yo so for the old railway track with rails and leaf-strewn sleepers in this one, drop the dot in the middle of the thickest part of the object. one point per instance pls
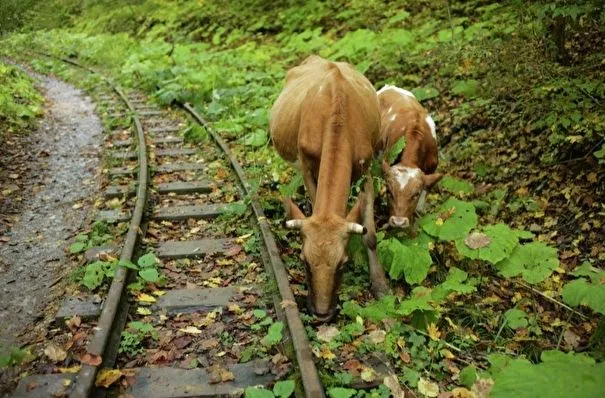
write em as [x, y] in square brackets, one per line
[212, 299]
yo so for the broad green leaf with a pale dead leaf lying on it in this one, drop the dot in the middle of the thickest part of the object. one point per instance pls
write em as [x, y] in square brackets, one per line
[502, 241]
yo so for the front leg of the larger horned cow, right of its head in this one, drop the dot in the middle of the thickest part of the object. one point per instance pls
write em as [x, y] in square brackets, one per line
[380, 283]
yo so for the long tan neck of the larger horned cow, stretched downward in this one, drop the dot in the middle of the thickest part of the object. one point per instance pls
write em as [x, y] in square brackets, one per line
[334, 181]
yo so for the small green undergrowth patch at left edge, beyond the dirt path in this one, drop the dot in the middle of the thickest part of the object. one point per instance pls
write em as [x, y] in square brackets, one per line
[20, 102]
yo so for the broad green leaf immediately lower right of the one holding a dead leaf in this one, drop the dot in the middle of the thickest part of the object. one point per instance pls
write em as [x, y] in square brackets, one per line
[533, 261]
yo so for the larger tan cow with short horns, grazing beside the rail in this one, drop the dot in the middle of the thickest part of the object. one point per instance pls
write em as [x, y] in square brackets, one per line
[326, 120]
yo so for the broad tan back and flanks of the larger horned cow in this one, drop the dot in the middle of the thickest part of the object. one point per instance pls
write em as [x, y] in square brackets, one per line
[306, 105]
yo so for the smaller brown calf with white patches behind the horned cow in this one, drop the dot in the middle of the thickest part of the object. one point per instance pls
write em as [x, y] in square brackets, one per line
[414, 170]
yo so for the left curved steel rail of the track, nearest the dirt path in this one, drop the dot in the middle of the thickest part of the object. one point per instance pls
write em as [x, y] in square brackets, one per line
[116, 297]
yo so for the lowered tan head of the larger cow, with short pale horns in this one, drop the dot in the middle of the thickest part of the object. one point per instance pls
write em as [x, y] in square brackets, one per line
[324, 253]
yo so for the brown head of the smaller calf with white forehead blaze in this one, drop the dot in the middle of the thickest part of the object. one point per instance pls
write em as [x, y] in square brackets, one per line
[405, 186]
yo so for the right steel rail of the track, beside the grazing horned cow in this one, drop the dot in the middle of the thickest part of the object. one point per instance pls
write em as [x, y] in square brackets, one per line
[310, 378]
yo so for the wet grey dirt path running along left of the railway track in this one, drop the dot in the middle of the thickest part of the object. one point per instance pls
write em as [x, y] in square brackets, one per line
[58, 163]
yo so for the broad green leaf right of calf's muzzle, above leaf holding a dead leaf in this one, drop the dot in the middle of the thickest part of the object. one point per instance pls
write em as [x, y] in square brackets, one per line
[453, 220]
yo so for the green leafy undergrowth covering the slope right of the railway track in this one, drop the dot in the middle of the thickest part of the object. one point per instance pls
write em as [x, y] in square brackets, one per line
[514, 234]
